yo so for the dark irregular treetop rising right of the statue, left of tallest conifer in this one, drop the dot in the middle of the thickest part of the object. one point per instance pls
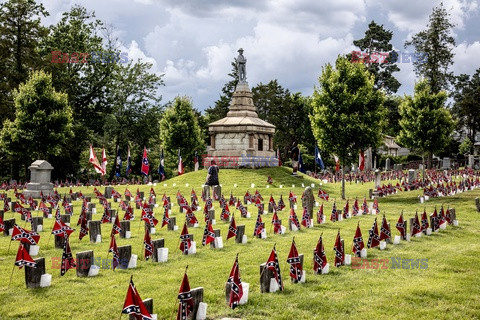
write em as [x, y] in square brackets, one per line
[377, 40]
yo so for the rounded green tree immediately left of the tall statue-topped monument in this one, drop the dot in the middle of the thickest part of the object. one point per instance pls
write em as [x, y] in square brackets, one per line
[179, 129]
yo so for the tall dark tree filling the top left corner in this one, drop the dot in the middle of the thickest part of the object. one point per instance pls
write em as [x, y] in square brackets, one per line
[21, 32]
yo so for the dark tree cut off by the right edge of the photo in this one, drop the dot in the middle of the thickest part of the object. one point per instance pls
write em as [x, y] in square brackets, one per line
[466, 108]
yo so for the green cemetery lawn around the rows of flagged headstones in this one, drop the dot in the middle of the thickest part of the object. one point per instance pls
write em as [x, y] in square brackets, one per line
[449, 288]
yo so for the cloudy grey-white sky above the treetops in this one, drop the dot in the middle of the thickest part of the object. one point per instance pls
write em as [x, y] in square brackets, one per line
[193, 42]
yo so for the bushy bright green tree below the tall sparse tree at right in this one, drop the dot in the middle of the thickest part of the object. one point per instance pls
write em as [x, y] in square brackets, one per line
[426, 123]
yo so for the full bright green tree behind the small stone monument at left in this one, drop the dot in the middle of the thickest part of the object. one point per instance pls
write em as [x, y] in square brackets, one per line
[43, 122]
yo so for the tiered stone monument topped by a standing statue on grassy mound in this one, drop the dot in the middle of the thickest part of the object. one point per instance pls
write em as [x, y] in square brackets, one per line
[241, 139]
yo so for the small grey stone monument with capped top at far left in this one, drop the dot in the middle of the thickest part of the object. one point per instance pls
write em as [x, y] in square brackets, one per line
[40, 173]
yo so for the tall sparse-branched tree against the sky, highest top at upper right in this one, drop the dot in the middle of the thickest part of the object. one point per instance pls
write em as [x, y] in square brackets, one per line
[435, 44]
